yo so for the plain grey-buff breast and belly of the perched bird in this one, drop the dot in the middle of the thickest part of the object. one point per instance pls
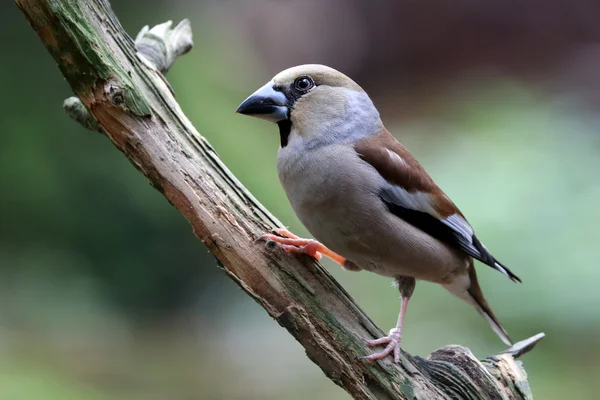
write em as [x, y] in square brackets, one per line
[340, 207]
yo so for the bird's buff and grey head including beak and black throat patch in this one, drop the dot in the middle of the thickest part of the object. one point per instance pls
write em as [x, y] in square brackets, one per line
[315, 103]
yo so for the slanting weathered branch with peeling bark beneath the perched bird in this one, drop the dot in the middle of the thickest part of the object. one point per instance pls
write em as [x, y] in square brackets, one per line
[131, 102]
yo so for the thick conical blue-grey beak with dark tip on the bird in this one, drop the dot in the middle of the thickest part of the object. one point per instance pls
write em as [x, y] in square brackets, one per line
[266, 103]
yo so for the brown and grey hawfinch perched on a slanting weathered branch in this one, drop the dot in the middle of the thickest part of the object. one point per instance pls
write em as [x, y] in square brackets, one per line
[368, 203]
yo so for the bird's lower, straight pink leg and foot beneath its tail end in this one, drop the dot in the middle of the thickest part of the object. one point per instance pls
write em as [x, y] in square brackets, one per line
[406, 286]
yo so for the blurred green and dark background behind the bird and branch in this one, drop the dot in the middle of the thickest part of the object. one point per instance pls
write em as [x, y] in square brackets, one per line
[106, 294]
